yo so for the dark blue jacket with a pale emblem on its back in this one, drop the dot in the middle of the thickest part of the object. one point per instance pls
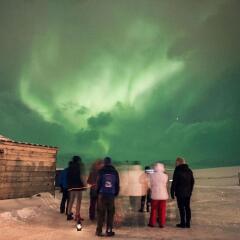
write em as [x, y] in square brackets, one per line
[108, 170]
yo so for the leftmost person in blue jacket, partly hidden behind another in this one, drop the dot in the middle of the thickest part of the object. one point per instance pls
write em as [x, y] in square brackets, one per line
[64, 189]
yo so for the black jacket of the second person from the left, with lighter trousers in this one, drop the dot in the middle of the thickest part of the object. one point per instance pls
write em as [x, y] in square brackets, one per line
[74, 176]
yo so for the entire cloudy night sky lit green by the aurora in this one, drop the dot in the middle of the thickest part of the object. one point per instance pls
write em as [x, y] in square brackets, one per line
[143, 80]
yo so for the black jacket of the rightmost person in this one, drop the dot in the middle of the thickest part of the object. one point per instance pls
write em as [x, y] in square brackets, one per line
[183, 181]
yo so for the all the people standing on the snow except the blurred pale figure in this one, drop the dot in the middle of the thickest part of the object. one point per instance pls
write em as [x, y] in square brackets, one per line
[104, 184]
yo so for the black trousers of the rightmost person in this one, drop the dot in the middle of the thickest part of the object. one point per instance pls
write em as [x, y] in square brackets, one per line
[184, 210]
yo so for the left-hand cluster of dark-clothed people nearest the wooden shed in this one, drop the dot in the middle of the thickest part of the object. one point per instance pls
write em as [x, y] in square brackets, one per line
[104, 187]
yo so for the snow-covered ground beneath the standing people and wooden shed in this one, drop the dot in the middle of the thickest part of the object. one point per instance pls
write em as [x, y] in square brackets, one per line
[216, 215]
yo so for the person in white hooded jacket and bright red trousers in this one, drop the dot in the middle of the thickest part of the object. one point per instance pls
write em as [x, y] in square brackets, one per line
[158, 184]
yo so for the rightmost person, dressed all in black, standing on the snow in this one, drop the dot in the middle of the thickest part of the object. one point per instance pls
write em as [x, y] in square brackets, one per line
[182, 187]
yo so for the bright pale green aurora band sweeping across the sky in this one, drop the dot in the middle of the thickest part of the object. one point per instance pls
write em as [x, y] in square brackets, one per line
[96, 91]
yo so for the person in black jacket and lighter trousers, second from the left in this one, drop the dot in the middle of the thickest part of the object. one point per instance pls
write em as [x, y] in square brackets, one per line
[75, 186]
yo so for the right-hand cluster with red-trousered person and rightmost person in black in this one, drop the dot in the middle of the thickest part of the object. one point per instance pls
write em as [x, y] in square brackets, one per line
[157, 194]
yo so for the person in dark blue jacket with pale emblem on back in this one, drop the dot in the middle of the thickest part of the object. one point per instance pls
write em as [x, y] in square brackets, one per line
[107, 190]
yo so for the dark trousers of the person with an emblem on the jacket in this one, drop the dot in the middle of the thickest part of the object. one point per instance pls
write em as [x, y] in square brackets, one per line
[105, 206]
